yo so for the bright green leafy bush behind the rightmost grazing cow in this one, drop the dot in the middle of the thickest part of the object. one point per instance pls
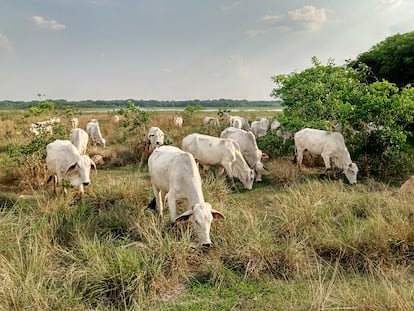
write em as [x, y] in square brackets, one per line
[371, 117]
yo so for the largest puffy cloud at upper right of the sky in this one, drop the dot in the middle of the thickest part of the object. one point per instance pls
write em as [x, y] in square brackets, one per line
[310, 17]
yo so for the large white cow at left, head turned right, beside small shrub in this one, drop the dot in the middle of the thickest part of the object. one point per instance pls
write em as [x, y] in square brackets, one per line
[64, 161]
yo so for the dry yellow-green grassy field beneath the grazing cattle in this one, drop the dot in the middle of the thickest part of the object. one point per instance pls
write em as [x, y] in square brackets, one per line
[293, 242]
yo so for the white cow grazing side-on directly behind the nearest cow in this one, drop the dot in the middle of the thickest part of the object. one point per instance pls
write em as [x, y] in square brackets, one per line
[210, 150]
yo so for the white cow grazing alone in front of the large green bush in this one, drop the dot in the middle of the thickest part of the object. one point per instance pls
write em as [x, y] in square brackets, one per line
[330, 145]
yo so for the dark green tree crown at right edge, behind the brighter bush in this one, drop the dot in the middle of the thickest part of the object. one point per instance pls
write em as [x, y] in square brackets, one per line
[391, 60]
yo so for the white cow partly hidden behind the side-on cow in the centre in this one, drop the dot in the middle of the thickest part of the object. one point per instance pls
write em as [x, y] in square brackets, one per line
[248, 146]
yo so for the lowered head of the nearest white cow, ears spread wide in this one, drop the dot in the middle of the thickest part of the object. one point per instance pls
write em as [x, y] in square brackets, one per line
[203, 215]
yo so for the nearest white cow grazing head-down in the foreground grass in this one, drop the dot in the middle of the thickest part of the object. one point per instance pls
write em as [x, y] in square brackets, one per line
[174, 174]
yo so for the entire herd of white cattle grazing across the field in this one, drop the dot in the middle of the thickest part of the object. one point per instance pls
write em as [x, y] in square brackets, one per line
[174, 171]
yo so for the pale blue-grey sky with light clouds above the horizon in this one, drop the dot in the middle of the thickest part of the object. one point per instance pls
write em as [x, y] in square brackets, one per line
[180, 49]
